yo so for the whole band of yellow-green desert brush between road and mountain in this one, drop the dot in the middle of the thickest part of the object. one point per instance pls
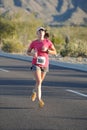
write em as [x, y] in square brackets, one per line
[69, 40]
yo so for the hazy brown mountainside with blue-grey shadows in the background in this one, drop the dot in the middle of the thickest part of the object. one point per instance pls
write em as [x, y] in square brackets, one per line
[53, 12]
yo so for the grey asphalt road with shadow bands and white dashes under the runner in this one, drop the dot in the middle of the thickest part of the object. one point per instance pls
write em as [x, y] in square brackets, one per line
[64, 93]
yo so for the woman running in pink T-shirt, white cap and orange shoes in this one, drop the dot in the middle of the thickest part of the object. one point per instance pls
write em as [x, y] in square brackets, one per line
[40, 49]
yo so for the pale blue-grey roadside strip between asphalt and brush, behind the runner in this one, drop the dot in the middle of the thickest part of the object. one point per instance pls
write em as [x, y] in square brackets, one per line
[55, 62]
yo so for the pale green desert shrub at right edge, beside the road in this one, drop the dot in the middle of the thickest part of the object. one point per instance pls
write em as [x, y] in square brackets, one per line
[76, 48]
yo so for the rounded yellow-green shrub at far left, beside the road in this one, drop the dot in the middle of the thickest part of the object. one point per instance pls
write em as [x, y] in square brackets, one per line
[10, 45]
